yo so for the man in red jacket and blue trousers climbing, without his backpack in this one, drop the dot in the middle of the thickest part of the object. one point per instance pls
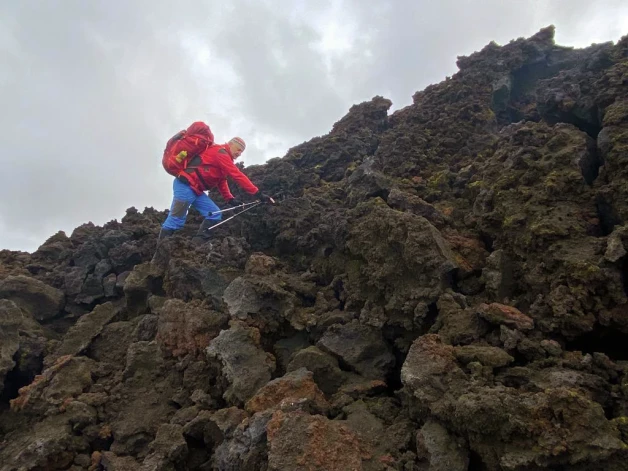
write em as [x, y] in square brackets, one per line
[205, 171]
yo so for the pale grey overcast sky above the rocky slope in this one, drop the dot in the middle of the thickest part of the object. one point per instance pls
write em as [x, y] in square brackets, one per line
[92, 89]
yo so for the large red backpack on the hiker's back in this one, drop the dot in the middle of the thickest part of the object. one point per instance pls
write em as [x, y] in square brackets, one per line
[184, 145]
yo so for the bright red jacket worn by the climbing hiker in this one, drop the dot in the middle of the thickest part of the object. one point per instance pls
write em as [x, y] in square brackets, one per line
[212, 168]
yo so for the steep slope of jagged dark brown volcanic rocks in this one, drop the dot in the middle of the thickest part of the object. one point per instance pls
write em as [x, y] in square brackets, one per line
[441, 288]
